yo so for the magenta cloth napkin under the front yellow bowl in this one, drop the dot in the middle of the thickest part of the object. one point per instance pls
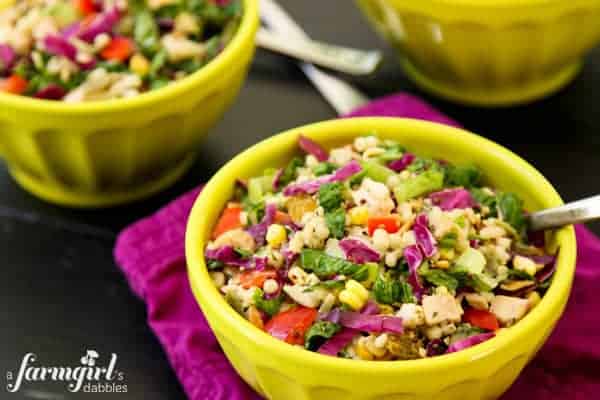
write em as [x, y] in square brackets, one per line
[151, 254]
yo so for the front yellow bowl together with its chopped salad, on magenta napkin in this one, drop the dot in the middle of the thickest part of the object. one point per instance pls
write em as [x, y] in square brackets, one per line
[484, 367]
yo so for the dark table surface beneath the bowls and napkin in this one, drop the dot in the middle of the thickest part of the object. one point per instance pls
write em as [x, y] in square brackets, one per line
[61, 292]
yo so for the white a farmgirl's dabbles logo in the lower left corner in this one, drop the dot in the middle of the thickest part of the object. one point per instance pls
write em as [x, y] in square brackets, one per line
[90, 376]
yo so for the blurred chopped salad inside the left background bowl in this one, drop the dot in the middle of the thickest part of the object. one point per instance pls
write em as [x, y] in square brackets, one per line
[86, 50]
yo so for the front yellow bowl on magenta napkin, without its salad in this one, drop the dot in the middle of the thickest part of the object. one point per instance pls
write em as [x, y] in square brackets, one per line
[282, 372]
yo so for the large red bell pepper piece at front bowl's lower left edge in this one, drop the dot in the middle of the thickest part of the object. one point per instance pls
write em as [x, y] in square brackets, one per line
[291, 325]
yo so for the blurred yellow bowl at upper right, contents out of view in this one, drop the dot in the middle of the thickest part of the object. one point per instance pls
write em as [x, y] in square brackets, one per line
[488, 52]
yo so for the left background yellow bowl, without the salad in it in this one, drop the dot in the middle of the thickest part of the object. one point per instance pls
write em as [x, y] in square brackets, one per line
[110, 152]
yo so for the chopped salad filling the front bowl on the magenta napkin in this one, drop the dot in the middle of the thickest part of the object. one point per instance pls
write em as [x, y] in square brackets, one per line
[371, 252]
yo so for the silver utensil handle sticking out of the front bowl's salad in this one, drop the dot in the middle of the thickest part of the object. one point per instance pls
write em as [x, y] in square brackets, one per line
[571, 213]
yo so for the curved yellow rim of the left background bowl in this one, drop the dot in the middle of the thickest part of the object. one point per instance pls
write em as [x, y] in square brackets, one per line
[243, 36]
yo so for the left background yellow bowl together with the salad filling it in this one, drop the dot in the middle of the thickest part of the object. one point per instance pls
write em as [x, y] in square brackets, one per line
[115, 96]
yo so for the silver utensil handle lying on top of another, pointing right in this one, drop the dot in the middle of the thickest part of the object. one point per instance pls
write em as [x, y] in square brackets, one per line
[339, 58]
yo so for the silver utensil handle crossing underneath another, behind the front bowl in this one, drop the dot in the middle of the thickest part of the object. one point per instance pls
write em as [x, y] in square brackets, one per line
[343, 97]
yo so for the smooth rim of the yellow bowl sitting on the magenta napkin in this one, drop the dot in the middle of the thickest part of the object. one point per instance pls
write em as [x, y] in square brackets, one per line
[211, 298]
